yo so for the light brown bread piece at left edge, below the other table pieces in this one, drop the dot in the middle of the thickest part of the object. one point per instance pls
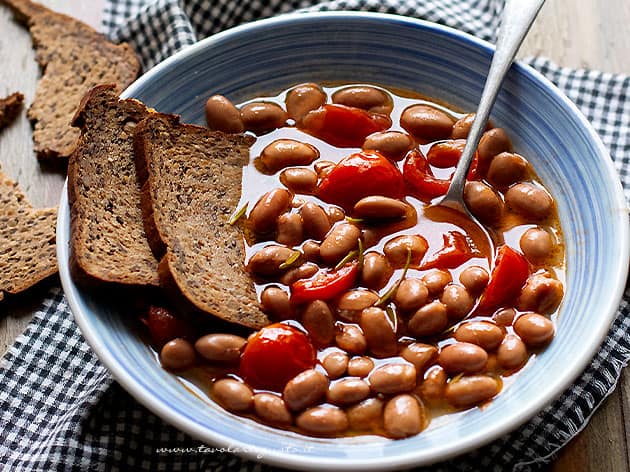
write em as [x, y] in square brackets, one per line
[27, 240]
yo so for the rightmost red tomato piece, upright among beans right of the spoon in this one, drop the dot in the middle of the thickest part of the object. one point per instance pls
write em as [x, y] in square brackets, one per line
[508, 276]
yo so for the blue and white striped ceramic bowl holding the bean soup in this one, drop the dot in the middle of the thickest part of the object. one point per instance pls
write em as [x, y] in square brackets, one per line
[268, 56]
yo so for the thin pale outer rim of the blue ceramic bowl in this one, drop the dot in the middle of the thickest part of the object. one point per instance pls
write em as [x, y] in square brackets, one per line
[305, 462]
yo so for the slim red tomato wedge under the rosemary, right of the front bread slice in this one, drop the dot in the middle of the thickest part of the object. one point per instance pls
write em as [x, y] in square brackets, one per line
[324, 285]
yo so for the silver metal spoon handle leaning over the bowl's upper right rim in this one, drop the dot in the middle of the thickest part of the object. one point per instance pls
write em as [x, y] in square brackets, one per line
[517, 18]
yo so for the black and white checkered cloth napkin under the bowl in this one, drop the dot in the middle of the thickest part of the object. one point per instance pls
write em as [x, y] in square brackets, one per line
[60, 409]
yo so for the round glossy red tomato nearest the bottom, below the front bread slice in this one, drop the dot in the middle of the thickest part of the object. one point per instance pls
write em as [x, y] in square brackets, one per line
[275, 355]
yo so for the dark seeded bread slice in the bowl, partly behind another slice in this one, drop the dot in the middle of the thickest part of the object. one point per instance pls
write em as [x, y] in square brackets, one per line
[108, 242]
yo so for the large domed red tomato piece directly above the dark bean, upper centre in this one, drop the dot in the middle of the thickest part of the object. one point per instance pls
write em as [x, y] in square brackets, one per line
[361, 175]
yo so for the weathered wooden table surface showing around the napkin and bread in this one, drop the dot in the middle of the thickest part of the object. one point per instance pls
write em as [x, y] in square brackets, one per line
[588, 33]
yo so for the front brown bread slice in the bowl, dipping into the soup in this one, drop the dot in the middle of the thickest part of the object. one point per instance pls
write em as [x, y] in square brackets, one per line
[191, 185]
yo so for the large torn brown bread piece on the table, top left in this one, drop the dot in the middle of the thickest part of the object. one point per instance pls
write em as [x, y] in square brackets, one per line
[74, 58]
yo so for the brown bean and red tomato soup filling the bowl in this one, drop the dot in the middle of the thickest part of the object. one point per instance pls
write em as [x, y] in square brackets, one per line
[384, 315]
